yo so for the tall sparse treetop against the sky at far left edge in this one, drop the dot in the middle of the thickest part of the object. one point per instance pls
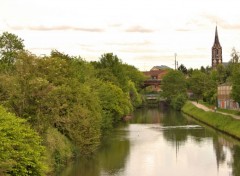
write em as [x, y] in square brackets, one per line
[10, 45]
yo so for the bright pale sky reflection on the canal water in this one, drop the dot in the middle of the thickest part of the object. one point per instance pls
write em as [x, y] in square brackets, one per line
[151, 154]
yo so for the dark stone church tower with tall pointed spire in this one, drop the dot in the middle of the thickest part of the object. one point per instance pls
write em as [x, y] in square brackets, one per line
[216, 51]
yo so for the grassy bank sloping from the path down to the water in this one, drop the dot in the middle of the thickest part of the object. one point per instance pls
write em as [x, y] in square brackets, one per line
[220, 122]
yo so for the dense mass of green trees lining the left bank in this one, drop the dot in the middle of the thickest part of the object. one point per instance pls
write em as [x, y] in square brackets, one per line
[66, 102]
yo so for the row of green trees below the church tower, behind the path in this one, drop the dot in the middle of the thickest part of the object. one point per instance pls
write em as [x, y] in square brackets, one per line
[201, 84]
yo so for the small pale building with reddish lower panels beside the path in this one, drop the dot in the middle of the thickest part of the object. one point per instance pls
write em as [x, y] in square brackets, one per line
[224, 97]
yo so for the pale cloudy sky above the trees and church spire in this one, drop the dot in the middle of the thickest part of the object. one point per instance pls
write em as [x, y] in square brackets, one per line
[142, 33]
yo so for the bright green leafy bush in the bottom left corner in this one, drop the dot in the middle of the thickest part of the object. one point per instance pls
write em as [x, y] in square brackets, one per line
[21, 151]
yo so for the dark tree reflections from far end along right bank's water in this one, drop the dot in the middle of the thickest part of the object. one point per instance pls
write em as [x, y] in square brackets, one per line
[178, 136]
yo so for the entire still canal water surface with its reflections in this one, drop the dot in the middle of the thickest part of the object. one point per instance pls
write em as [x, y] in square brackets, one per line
[162, 142]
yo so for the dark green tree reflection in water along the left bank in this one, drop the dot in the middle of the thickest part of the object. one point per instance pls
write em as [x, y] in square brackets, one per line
[108, 160]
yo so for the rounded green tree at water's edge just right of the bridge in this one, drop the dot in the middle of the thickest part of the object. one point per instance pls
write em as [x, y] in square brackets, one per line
[174, 88]
